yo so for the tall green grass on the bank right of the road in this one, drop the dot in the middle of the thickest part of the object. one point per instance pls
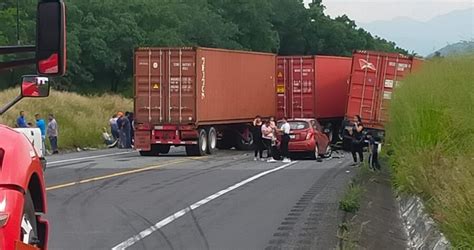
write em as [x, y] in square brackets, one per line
[431, 138]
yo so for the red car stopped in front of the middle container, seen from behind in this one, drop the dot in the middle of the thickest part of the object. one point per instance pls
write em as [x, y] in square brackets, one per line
[308, 136]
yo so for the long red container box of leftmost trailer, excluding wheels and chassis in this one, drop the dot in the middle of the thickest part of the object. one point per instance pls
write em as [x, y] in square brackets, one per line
[212, 86]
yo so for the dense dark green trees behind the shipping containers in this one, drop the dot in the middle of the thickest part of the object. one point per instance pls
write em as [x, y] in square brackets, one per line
[102, 34]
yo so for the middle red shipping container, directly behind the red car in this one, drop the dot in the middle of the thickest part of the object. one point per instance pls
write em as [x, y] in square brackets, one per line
[312, 86]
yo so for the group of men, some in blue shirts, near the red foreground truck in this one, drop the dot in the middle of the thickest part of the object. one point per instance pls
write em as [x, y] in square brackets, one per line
[49, 130]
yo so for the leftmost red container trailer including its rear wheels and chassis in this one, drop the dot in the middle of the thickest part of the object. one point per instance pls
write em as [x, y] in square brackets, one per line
[200, 98]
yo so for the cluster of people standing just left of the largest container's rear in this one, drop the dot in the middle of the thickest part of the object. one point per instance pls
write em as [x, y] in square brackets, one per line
[122, 127]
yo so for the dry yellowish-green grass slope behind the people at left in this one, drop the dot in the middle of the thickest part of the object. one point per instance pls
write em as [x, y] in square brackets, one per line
[80, 118]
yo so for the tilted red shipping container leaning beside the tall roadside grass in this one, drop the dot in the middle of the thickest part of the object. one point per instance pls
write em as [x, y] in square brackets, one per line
[373, 79]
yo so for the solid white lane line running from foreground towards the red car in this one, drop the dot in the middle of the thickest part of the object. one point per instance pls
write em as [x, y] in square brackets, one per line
[134, 239]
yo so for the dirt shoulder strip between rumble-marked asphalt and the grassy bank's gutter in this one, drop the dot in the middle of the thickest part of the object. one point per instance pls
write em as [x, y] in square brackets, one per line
[377, 224]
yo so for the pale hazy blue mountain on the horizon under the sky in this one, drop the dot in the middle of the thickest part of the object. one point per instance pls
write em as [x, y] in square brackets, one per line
[426, 37]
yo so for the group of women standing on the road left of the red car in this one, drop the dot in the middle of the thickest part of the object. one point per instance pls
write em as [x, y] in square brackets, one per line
[265, 138]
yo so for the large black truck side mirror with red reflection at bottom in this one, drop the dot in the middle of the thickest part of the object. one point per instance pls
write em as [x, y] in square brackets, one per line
[51, 38]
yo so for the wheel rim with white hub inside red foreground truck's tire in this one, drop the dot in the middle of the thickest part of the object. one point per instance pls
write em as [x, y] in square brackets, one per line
[28, 229]
